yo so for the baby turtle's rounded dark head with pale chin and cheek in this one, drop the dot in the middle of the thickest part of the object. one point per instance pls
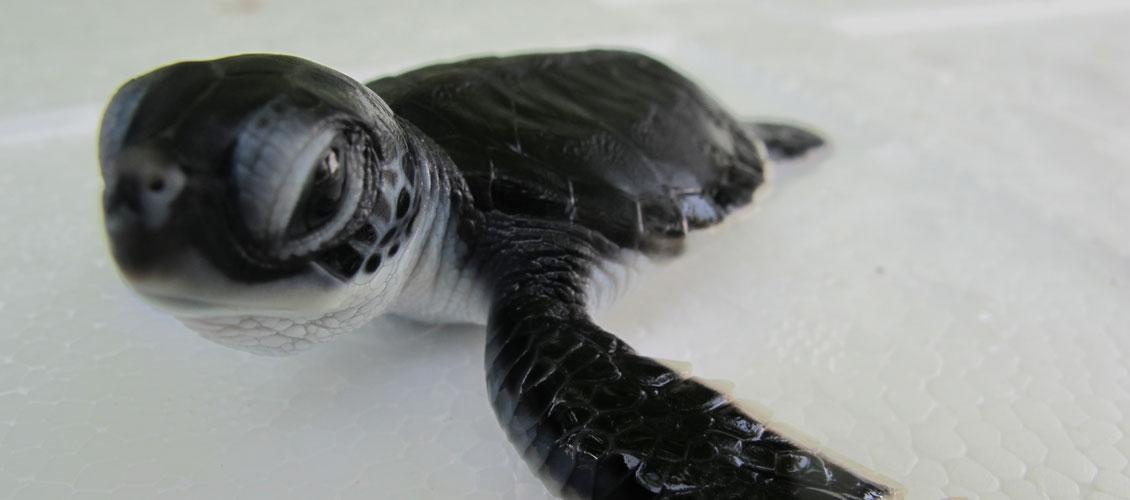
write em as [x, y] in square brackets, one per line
[263, 200]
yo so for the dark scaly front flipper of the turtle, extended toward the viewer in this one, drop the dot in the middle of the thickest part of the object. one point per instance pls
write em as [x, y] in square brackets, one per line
[598, 421]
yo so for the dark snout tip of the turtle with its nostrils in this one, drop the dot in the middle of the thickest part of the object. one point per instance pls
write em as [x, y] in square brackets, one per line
[142, 191]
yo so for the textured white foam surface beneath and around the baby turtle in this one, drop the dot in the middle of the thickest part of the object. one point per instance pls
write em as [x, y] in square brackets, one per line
[946, 300]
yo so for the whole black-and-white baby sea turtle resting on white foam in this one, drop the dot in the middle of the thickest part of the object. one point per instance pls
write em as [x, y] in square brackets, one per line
[272, 204]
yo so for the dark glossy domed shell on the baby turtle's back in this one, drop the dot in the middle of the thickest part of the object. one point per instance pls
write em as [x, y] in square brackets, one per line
[613, 141]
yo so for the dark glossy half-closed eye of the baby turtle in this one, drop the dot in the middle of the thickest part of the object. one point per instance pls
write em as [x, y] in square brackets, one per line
[321, 200]
